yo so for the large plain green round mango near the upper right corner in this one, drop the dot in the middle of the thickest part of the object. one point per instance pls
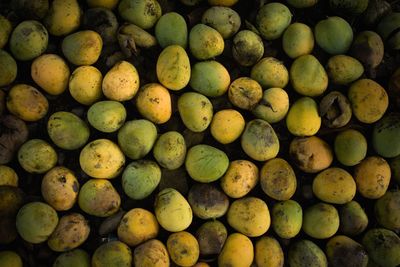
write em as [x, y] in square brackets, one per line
[334, 35]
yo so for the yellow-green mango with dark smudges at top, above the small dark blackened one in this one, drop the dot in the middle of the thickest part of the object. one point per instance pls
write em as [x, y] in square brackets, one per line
[272, 19]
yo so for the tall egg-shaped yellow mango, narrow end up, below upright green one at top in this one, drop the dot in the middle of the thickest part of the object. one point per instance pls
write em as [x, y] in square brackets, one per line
[173, 67]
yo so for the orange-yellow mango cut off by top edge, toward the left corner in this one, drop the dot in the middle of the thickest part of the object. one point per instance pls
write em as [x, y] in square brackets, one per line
[63, 17]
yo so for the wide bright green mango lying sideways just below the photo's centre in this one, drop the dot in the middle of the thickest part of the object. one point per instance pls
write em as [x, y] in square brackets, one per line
[205, 163]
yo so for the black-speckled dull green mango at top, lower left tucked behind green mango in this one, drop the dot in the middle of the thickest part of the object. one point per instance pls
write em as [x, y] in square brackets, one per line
[224, 19]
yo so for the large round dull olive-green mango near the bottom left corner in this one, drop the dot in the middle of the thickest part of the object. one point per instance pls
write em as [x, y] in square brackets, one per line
[36, 221]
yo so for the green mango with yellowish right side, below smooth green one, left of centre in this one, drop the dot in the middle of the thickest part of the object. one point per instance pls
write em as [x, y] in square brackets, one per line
[141, 178]
